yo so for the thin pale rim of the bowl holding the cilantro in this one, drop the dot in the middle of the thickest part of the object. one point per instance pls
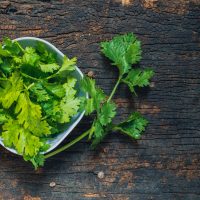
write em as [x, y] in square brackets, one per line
[72, 126]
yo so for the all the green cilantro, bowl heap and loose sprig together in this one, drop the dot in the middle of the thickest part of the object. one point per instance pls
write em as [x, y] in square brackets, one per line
[41, 88]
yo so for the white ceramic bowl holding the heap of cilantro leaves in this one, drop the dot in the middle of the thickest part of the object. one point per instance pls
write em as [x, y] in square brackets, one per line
[32, 41]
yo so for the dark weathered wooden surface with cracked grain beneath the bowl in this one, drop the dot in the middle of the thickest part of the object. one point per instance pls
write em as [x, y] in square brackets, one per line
[165, 163]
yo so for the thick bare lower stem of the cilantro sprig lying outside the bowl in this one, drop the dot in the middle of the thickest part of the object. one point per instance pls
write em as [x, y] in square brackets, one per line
[68, 145]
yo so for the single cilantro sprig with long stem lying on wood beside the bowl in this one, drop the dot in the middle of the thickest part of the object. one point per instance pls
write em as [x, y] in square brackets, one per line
[124, 51]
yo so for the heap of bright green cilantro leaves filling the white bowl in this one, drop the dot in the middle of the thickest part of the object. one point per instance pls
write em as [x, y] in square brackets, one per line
[37, 98]
